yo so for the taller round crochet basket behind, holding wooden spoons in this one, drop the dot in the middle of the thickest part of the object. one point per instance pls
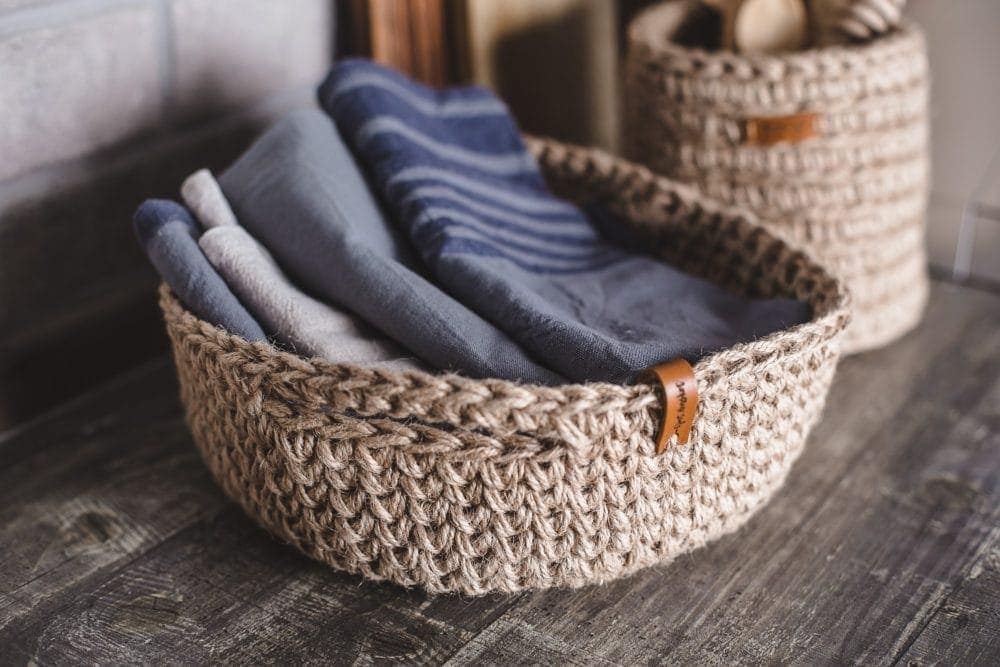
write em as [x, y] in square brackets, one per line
[829, 147]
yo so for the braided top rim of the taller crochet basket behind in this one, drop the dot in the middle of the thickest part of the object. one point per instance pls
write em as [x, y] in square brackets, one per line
[648, 29]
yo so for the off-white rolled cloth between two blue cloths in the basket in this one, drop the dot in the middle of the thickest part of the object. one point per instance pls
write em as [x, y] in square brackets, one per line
[295, 319]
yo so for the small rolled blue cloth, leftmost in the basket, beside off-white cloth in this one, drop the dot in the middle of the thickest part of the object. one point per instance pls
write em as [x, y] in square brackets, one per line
[168, 234]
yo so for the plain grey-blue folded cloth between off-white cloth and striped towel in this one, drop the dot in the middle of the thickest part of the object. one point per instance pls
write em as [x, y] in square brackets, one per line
[299, 192]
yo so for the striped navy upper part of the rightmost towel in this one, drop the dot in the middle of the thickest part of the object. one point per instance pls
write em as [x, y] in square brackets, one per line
[454, 166]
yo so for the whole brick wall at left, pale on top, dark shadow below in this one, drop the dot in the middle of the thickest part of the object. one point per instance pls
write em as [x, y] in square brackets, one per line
[104, 103]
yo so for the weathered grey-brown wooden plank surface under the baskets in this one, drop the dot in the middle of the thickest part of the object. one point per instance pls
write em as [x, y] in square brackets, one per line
[883, 547]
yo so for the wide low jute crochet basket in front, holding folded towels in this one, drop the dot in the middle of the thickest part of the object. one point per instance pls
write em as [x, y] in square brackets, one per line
[473, 486]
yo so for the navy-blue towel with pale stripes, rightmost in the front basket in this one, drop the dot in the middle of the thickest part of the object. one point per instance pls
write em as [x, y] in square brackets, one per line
[452, 170]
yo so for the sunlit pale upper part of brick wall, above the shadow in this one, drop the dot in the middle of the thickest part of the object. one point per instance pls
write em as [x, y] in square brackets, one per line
[77, 76]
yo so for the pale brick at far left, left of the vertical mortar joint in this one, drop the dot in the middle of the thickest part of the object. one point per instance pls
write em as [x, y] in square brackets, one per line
[68, 89]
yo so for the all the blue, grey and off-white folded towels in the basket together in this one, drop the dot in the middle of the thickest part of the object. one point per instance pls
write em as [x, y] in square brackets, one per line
[407, 228]
